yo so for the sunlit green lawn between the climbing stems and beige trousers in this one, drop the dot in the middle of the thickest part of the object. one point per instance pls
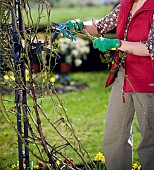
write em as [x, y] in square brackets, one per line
[86, 110]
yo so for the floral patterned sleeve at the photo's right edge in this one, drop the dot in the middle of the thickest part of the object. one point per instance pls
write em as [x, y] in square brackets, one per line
[150, 42]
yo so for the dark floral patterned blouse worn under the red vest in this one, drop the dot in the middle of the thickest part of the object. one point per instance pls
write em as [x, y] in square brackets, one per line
[110, 21]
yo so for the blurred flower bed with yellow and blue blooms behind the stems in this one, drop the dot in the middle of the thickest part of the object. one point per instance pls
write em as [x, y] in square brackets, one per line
[62, 83]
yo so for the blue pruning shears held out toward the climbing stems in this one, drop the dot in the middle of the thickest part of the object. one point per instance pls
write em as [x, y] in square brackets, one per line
[61, 28]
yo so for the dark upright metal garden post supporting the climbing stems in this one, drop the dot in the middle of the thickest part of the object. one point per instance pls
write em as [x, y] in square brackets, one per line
[19, 66]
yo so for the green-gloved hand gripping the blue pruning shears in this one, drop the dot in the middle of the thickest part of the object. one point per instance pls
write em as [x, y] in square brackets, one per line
[75, 24]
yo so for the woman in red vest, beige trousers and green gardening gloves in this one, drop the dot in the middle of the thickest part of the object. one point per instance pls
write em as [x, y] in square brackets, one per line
[133, 88]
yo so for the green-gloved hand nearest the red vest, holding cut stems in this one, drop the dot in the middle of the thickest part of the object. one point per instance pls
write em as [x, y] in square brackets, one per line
[104, 44]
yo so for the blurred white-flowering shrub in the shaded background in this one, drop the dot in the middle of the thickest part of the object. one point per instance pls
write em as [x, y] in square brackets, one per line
[74, 51]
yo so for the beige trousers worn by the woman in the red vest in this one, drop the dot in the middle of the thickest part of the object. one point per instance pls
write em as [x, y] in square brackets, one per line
[117, 144]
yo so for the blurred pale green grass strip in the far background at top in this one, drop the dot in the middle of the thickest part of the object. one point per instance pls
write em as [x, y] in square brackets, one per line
[61, 15]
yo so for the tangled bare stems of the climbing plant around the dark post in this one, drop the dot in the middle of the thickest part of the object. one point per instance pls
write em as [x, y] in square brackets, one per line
[26, 39]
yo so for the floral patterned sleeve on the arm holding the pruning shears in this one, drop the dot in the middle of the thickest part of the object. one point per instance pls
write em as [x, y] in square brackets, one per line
[108, 22]
